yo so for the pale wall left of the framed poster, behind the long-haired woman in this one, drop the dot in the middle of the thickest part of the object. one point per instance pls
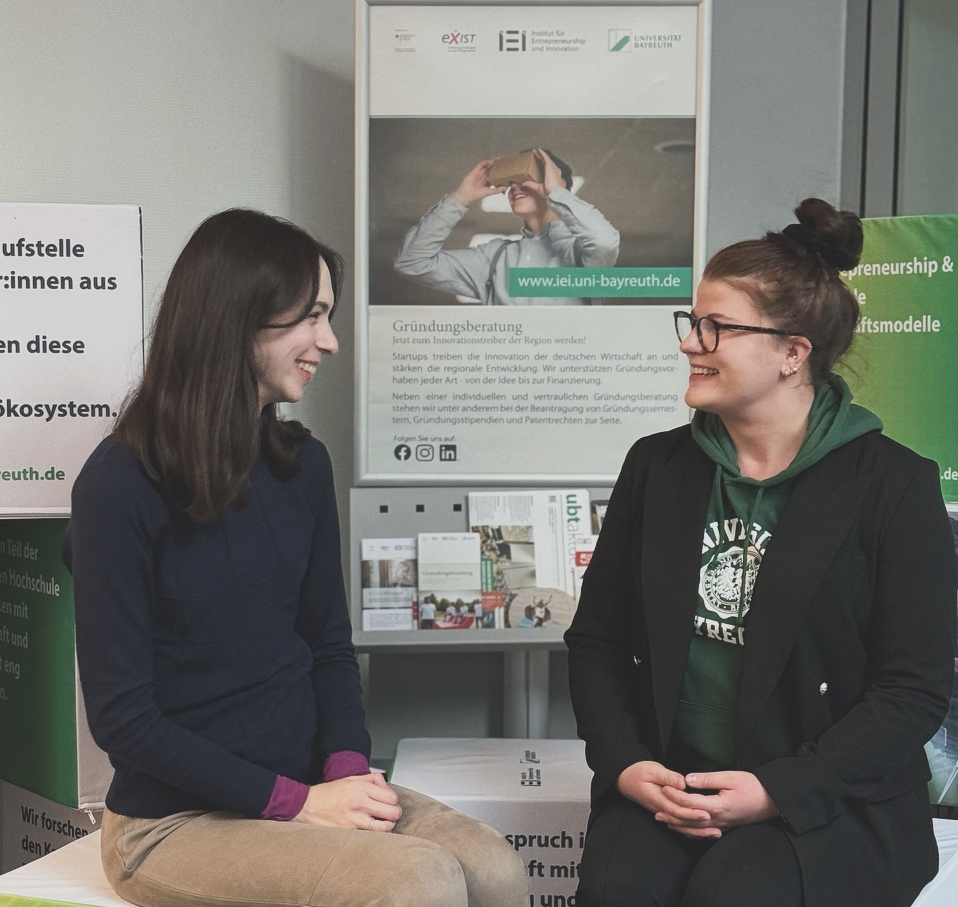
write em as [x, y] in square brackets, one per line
[186, 108]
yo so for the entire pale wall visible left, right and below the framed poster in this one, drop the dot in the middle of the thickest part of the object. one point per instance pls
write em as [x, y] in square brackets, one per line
[185, 107]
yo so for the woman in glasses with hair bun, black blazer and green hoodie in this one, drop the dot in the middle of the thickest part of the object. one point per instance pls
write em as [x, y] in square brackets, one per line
[765, 635]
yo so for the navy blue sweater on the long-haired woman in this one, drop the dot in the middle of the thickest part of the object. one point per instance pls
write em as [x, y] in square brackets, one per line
[212, 657]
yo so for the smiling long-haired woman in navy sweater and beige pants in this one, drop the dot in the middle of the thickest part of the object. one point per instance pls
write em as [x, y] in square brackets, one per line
[212, 629]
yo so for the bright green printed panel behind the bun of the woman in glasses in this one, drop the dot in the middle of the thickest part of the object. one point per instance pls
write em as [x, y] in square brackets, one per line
[904, 363]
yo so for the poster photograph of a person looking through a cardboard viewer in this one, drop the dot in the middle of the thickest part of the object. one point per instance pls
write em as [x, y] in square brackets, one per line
[463, 211]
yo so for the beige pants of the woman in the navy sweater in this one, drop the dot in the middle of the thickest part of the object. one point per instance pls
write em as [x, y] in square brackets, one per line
[435, 857]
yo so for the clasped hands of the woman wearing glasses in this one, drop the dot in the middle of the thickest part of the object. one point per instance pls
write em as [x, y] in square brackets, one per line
[739, 798]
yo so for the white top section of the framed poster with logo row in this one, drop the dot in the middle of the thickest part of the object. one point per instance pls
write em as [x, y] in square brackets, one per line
[534, 61]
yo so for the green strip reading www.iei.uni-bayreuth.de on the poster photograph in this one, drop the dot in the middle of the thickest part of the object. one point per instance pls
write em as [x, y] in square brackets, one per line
[599, 282]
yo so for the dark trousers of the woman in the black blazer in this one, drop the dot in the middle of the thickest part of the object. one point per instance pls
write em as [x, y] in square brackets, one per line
[630, 860]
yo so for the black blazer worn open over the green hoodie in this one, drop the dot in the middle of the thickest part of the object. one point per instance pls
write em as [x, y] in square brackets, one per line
[848, 662]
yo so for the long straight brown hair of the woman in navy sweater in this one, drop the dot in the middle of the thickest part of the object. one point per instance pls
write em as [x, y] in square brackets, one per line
[194, 422]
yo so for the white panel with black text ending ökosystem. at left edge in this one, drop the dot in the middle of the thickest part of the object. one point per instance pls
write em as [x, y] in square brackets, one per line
[71, 328]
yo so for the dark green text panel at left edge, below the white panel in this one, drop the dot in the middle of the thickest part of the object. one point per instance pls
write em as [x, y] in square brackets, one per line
[37, 674]
